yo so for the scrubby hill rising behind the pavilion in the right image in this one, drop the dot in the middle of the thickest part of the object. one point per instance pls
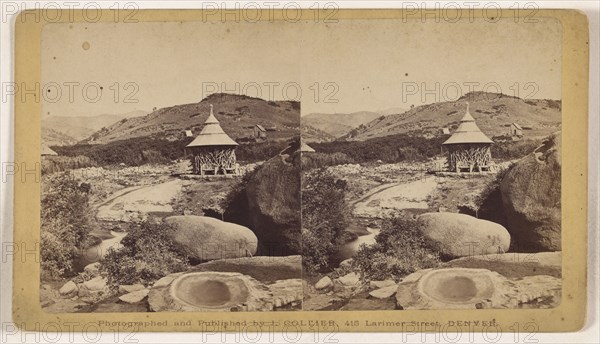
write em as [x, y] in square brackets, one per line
[493, 113]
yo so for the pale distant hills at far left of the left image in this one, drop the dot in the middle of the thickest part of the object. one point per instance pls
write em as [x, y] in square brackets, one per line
[78, 127]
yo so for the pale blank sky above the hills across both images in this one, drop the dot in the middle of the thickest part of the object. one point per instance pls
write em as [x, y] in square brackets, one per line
[348, 66]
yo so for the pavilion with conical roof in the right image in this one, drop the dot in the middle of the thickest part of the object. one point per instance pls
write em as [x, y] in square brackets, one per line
[468, 148]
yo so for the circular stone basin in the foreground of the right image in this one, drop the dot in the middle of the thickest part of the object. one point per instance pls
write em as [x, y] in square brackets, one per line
[457, 286]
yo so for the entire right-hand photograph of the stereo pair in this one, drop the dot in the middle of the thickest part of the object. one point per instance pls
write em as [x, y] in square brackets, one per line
[431, 165]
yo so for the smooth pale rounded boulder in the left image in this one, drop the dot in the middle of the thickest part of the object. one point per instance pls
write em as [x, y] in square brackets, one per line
[207, 238]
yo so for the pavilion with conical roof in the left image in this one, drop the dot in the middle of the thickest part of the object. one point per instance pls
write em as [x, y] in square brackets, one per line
[213, 151]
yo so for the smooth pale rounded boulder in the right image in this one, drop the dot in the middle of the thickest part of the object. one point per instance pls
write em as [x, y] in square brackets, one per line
[460, 235]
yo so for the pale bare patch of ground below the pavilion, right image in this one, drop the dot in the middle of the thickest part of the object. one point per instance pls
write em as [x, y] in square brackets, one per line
[396, 196]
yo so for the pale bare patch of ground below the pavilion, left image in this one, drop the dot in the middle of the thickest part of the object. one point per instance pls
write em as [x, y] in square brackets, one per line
[138, 201]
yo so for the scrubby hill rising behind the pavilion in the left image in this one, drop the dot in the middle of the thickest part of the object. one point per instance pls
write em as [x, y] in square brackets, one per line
[237, 114]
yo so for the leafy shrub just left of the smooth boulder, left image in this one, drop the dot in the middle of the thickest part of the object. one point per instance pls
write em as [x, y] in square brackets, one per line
[147, 253]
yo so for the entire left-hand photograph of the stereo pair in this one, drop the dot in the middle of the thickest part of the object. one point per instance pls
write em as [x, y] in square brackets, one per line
[170, 169]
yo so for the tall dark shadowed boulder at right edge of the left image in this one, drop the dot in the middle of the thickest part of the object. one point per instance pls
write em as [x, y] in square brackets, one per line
[270, 204]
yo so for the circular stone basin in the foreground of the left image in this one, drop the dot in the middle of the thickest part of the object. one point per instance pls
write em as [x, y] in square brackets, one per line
[210, 290]
